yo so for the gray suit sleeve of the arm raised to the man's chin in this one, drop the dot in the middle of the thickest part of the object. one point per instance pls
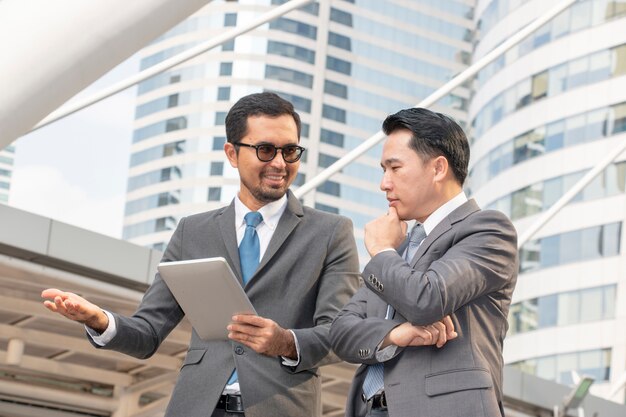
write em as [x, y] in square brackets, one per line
[481, 260]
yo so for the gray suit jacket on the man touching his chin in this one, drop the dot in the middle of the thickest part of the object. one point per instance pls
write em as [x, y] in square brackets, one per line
[466, 267]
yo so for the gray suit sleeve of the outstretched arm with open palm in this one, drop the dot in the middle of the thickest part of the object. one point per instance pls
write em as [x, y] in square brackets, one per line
[158, 313]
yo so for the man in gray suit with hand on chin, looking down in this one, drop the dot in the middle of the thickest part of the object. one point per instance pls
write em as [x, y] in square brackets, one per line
[458, 261]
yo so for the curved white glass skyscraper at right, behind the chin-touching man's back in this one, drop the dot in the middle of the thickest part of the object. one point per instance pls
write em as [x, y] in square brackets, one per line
[542, 116]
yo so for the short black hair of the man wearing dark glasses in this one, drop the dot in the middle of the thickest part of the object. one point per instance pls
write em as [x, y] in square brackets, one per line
[258, 104]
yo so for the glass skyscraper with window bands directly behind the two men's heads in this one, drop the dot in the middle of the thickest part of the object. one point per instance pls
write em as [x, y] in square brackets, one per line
[344, 65]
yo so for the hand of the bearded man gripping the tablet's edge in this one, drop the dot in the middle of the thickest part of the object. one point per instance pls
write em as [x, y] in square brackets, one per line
[262, 335]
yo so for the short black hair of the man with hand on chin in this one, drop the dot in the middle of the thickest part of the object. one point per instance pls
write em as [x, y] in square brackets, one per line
[434, 134]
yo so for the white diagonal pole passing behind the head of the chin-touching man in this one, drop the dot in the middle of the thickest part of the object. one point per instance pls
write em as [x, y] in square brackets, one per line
[435, 96]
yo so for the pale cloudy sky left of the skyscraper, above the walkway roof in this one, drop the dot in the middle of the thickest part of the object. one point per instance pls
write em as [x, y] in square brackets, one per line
[75, 170]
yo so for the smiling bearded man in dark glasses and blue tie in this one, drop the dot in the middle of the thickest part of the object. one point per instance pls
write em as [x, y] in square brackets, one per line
[304, 268]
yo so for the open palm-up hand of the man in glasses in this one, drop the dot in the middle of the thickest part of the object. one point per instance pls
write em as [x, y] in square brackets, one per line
[75, 308]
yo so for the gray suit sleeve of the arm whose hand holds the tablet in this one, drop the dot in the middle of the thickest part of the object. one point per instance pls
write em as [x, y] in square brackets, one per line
[337, 283]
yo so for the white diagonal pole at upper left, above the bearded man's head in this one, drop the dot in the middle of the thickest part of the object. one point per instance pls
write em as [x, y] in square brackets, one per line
[171, 62]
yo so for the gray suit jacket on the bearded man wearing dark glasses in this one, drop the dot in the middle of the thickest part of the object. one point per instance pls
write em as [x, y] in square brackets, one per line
[309, 271]
